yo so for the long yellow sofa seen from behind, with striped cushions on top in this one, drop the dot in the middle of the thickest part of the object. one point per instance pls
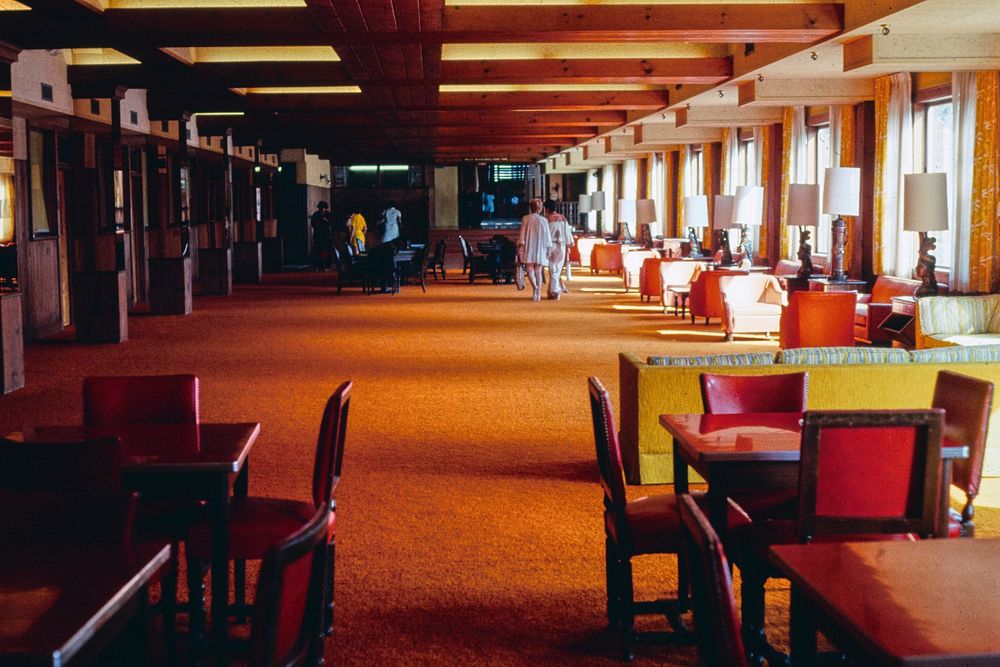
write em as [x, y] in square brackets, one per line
[839, 378]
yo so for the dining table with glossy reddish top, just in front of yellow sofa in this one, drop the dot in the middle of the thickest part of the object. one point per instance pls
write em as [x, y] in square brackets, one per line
[755, 450]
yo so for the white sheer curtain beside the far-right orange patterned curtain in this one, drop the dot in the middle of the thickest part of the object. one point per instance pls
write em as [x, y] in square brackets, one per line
[963, 103]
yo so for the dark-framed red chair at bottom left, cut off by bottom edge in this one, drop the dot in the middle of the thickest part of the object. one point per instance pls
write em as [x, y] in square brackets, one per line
[286, 628]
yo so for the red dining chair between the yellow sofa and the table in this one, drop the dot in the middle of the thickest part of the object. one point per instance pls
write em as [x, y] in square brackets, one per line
[737, 394]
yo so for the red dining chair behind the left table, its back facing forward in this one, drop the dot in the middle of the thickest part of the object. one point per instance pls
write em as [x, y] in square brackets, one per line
[151, 399]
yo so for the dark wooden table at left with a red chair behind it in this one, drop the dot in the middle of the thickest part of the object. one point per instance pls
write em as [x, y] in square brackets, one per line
[206, 461]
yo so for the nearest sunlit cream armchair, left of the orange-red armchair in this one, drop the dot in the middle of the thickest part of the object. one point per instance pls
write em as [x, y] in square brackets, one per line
[752, 303]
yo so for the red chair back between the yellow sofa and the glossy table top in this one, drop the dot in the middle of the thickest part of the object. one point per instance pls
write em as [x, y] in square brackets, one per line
[736, 394]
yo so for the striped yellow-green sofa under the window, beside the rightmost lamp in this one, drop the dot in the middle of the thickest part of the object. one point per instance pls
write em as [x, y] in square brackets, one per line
[942, 321]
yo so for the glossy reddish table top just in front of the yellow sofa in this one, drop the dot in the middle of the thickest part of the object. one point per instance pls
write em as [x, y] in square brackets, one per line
[760, 436]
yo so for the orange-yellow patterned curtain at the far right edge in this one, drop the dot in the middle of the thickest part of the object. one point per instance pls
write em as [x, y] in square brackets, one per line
[982, 246]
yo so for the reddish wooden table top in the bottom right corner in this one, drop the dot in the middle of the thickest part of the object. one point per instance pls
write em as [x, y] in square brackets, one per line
[932, 602]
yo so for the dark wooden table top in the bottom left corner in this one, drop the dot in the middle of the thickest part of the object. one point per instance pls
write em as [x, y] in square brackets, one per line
[54, 600]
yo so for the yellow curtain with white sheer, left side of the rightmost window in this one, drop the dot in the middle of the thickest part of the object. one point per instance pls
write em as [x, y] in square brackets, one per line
[897, 250]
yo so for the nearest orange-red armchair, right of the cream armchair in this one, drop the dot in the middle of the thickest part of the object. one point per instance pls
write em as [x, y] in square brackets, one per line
[818, 319]
